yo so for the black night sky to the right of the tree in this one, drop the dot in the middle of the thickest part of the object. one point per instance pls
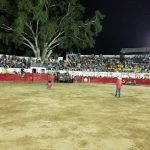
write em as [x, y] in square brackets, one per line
[127, 24]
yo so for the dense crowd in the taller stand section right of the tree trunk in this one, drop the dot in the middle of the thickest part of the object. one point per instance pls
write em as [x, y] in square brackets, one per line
[136, 63]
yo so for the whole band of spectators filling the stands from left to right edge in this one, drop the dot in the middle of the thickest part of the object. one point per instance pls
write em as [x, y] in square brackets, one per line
[77, 62]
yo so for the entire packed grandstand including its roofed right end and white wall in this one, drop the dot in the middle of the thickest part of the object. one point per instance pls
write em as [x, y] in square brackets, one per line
[76, 63]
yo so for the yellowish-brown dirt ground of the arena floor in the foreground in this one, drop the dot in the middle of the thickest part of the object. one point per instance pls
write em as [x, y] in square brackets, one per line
[74, 117]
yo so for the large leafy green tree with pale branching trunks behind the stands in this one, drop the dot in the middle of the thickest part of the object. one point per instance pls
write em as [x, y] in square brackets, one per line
[43, 25]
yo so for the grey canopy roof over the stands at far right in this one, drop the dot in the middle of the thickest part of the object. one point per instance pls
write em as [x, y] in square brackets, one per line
[135, 50]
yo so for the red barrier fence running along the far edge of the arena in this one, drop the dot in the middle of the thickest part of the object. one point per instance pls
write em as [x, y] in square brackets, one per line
[37, 77]
